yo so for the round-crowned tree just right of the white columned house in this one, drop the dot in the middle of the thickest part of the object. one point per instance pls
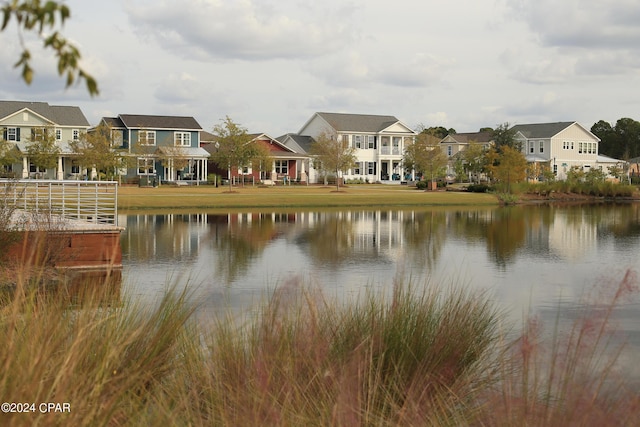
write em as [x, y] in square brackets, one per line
[425, 156]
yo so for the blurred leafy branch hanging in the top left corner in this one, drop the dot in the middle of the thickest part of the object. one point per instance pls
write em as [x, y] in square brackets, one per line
[43, 19]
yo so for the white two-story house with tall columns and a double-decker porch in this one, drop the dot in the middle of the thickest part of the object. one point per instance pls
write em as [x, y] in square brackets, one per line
[379, 142]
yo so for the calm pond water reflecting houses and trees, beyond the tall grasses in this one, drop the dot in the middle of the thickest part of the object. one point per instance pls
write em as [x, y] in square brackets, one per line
[530, 259]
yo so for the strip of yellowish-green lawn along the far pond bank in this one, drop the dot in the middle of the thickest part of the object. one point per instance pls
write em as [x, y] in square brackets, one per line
[133, 198]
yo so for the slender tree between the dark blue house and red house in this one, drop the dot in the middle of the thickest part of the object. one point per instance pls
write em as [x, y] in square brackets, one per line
[233, 147]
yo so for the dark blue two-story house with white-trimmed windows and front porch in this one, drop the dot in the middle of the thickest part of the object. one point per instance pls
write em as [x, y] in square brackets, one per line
[166, 148]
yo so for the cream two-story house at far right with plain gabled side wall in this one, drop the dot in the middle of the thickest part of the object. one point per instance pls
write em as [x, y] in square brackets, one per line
[561, 146]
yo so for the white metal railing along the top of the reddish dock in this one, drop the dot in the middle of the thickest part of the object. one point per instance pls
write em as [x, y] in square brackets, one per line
[94, 202]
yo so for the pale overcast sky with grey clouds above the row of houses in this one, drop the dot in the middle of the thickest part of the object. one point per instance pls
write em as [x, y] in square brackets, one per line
[270, 64]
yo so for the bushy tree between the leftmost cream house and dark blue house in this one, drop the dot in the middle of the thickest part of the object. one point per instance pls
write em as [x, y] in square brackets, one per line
[98, 149]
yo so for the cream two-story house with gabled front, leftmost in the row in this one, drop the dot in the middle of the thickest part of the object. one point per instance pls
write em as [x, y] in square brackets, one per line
[25, 124]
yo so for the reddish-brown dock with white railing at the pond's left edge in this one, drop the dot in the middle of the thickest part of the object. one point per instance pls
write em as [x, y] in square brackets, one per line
[64, 224]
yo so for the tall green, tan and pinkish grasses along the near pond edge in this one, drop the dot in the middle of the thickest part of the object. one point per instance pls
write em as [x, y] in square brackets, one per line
[414, 357]
